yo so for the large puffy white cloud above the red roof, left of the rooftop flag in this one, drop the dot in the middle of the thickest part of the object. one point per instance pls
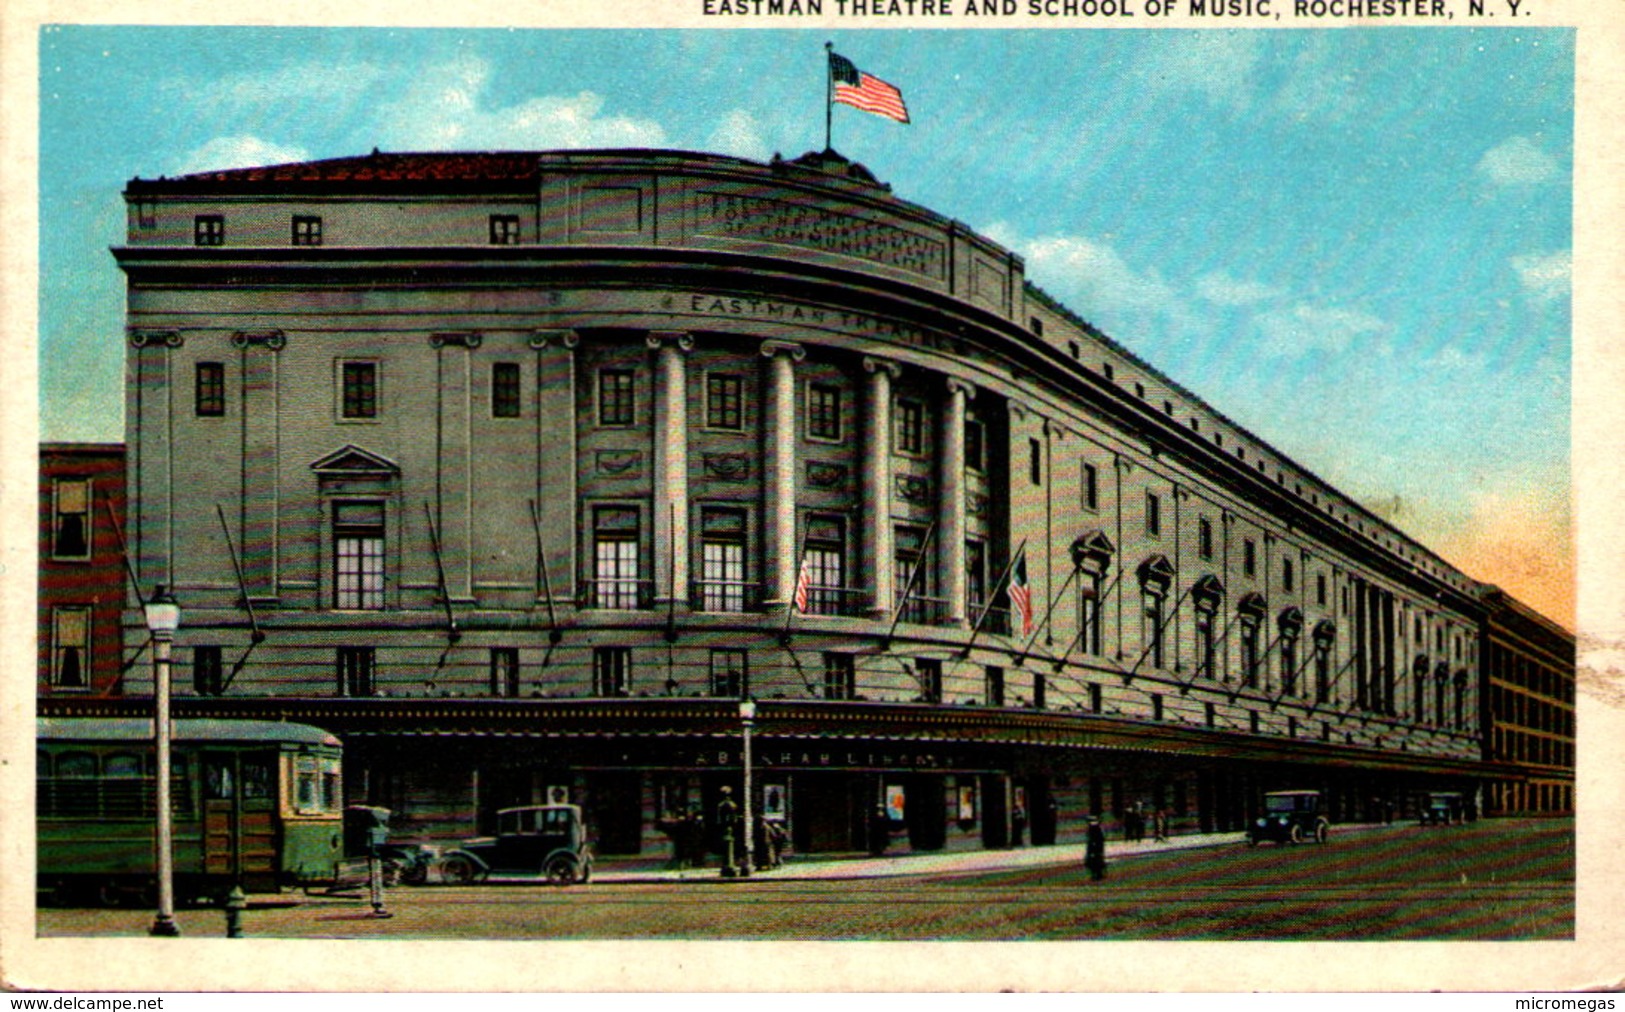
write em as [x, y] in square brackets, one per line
[446, 106]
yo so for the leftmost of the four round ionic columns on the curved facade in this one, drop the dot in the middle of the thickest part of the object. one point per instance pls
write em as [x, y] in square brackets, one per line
[672, 465]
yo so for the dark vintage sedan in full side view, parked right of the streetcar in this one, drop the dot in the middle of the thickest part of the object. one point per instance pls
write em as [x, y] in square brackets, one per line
[544, 841]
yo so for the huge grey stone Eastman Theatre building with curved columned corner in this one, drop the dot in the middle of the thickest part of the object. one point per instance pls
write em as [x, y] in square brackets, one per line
[521, 470]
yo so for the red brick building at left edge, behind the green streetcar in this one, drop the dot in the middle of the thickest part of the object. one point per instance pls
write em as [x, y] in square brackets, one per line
[80, 569]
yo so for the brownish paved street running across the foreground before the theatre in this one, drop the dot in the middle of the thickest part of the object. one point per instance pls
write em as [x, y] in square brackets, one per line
[1494, 880]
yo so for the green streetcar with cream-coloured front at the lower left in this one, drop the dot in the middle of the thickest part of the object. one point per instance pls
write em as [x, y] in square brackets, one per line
[256, 805]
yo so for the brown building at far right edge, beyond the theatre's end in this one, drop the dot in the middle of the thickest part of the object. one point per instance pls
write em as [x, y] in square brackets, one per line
[1530, 709]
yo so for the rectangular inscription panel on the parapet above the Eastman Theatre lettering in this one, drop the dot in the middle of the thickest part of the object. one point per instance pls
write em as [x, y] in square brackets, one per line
[766, 220]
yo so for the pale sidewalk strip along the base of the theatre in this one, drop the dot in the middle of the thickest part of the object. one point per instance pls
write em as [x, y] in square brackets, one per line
[955, 863]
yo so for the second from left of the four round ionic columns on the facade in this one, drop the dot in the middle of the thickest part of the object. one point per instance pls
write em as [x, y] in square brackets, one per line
[779, 475]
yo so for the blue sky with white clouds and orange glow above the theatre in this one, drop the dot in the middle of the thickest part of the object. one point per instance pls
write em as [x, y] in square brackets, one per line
[1353, 243]
